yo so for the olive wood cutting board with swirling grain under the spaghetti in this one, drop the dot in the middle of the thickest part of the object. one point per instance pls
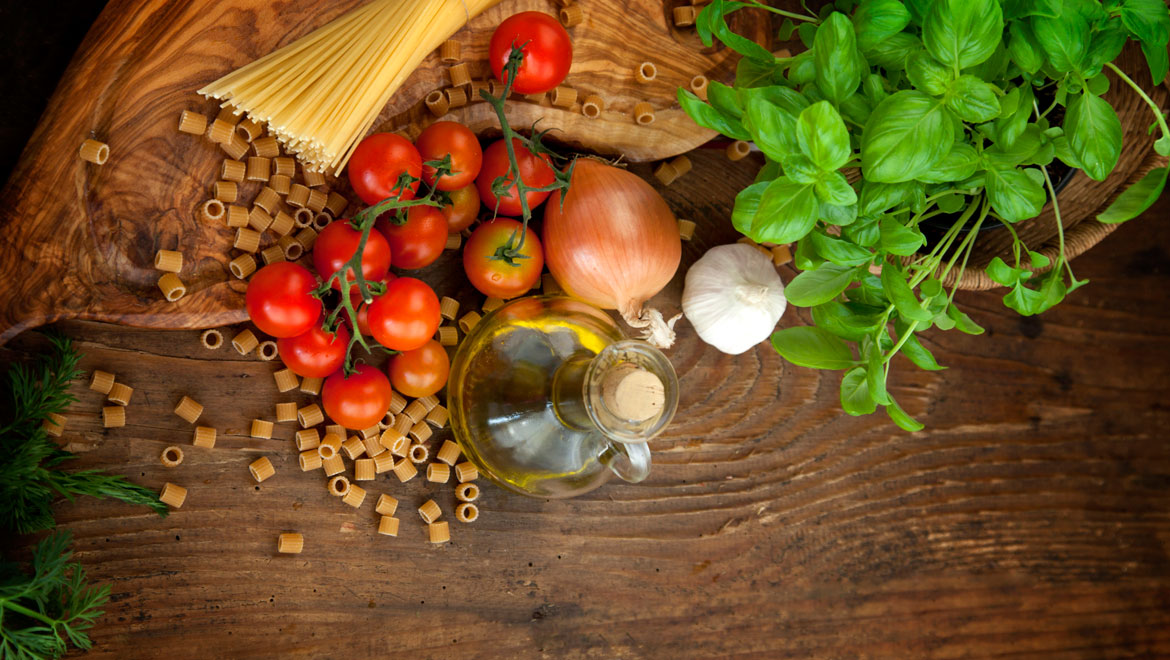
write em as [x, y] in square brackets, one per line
[79, 240]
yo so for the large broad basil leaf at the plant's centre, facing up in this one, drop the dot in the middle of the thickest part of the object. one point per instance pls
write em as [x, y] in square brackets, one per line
[905, 137]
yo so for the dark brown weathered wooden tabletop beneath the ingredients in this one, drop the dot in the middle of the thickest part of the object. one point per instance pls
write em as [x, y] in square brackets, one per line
[1030, 519]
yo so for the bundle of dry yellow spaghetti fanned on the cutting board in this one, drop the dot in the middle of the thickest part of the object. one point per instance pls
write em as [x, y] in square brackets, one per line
[321, 94]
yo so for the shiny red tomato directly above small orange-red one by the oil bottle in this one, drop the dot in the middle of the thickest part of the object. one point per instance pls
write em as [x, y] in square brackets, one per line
[407, 317]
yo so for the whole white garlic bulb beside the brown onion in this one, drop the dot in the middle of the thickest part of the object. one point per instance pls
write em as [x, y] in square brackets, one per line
[734, 298]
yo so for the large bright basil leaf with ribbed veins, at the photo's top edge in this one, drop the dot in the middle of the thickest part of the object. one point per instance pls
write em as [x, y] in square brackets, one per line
[963, 33]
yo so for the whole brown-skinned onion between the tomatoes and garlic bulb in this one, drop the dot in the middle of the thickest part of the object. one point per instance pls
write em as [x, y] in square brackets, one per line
[615, 245]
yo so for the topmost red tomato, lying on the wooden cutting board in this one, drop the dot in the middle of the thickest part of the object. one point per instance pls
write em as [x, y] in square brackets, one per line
[547, 57]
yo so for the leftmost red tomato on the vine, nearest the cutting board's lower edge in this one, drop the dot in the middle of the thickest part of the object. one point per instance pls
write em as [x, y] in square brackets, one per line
[280, 300]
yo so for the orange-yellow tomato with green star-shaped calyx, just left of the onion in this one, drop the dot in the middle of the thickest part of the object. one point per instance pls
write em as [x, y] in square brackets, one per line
[495, 277]
